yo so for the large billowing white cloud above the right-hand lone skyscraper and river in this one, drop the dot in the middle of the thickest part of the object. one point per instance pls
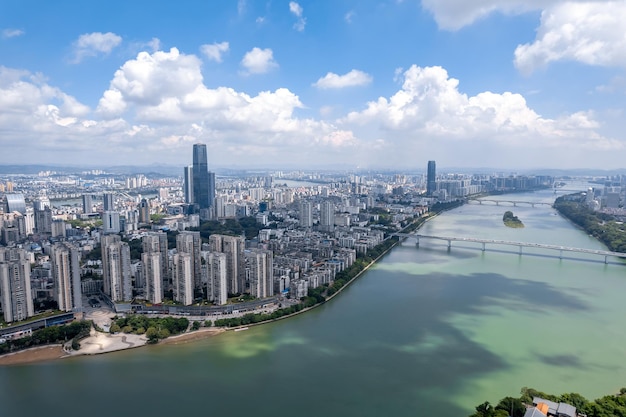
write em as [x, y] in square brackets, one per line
[430, 105]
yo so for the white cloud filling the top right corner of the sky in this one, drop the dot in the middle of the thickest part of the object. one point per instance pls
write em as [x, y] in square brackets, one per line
[592, 33]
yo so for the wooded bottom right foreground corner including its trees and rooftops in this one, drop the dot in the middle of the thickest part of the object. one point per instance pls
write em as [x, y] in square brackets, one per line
[536, 403]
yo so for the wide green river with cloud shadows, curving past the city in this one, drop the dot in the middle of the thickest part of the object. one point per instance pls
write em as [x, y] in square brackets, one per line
[427, 331]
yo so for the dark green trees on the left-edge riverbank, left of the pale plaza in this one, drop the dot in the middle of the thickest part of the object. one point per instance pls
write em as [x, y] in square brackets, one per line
[48, 335]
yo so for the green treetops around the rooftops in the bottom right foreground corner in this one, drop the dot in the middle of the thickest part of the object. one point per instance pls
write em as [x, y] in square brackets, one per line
[607, 406]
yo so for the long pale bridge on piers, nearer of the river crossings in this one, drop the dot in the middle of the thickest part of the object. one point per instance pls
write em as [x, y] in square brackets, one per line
[520, 245]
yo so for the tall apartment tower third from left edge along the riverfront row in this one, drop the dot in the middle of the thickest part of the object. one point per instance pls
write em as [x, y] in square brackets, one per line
[116, 268]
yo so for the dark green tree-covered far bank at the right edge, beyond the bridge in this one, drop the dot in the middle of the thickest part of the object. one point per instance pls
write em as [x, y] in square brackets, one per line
[600, 225]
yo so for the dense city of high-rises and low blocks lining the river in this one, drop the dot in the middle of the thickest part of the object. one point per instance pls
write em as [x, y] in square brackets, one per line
[200, 244]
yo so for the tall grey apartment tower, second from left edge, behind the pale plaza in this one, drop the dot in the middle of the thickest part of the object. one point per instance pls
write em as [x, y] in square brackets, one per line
[65, 260]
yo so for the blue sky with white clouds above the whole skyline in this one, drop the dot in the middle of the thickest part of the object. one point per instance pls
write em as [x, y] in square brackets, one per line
[507, 84]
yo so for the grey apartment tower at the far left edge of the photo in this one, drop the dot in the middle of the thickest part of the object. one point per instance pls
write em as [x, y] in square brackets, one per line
[15, 291]
